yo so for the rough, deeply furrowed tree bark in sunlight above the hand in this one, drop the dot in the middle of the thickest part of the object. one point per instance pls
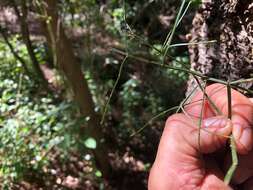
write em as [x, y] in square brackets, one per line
[230, 22]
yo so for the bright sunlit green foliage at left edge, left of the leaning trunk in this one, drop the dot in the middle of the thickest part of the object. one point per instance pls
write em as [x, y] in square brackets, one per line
[31, 123]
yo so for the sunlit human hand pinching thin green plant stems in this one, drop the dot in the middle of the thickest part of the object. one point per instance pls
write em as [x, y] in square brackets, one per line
[184, 163]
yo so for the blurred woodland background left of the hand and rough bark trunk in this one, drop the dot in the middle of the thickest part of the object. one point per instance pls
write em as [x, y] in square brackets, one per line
[77, 79]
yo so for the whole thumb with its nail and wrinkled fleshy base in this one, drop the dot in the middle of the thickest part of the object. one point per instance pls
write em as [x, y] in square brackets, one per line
[178, 164]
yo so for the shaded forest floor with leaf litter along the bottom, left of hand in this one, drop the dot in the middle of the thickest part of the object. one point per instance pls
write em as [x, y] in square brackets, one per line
[72, 172]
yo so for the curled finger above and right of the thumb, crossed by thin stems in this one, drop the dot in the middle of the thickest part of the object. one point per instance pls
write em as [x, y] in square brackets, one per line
[242, 113]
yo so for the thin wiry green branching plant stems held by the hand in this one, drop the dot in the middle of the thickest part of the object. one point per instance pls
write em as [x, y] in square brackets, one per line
[196, 75]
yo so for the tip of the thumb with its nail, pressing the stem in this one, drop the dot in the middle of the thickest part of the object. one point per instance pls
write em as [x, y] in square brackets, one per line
[212, 135]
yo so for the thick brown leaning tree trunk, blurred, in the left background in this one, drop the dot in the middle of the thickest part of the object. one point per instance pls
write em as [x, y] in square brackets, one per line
[67, 62]
